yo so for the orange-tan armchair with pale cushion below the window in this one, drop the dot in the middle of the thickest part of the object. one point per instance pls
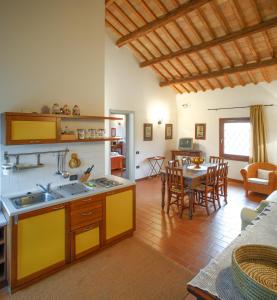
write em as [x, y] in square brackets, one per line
[253, 181]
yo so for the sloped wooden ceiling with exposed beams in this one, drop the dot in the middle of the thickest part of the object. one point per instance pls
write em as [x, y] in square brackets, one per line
[199, 45]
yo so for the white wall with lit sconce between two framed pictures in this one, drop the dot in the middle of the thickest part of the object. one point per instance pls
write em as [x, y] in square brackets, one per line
[130, 88]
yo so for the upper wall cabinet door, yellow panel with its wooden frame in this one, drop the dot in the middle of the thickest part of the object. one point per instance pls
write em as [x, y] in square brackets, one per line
[31, 130]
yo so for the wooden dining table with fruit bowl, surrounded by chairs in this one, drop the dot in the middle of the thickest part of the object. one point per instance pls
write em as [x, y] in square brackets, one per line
[193, 176]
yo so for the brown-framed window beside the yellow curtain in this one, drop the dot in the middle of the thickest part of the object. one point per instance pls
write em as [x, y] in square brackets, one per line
[234, 138]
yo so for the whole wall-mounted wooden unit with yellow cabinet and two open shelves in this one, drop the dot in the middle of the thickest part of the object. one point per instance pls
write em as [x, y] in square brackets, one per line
[33, 128]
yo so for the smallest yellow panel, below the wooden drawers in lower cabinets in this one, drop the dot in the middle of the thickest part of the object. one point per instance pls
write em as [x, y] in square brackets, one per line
[87, 240]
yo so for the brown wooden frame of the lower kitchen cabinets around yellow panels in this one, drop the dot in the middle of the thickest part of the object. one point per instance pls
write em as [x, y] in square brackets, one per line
[70, 235]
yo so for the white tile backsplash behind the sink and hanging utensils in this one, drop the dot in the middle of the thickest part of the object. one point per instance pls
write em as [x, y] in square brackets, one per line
[25, 180]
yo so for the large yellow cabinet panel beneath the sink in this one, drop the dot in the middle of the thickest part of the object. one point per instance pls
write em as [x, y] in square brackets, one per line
[41, 242]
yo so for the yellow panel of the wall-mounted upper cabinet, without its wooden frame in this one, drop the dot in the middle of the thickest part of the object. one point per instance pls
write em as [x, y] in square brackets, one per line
[33, 130]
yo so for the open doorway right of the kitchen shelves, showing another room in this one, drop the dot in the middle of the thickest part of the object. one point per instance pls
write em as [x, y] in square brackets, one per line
[122, 162]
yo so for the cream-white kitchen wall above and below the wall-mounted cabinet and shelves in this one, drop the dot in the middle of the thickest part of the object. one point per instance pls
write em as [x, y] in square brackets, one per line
[52, 51]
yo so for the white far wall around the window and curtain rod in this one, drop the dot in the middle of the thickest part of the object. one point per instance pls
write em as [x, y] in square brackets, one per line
[197, 112]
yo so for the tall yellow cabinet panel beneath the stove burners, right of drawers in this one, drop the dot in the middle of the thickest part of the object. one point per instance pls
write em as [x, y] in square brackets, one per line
[119, 213]
